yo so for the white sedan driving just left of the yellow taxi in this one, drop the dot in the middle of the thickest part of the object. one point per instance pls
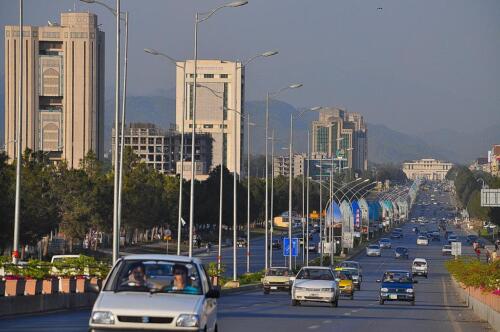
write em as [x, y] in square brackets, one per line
[315, 284]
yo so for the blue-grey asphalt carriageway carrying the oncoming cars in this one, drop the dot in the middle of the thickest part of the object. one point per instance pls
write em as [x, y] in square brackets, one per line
[437, 305]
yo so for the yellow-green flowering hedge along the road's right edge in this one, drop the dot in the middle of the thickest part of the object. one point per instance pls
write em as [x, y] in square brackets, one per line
[473, 273]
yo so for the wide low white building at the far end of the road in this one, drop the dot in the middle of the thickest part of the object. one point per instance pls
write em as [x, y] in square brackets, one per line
[430, 169]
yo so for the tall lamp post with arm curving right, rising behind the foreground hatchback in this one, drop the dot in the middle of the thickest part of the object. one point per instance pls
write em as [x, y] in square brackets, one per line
[199, 18]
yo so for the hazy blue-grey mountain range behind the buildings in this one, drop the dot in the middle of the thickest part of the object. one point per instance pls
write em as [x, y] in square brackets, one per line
[384, 144]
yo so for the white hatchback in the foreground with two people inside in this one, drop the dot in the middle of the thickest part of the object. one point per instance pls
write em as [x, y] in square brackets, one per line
[156, 292]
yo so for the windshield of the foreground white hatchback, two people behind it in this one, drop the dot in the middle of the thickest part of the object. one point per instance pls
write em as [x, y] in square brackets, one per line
[155, 276]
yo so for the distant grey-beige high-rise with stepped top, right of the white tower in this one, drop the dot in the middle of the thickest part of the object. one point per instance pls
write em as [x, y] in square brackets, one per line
[342, 135]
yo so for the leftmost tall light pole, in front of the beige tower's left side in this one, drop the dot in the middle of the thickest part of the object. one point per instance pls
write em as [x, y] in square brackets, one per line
[15, 244]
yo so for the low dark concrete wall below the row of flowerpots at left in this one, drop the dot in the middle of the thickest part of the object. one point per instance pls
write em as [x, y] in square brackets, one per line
[15, 305]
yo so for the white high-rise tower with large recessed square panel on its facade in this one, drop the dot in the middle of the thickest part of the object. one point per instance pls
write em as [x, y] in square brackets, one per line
[220, 91]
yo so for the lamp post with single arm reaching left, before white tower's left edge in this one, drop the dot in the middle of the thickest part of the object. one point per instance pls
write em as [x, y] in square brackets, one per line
[181, 178]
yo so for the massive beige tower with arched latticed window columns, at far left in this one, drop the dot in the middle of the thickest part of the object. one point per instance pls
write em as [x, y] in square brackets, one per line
[63, 88]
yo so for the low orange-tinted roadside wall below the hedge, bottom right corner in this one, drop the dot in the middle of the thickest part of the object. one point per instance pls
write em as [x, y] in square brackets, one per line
[485, 305]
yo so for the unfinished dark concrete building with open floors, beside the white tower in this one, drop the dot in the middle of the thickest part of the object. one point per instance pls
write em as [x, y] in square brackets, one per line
[161, 149]
